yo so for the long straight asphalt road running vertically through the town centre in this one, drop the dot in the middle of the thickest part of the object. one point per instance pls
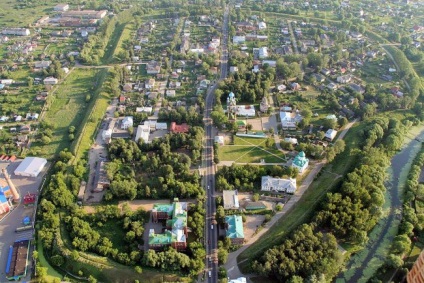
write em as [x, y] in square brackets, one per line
[211, 234]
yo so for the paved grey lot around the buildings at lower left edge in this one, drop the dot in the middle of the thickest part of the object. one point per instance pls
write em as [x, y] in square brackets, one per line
[14, 218]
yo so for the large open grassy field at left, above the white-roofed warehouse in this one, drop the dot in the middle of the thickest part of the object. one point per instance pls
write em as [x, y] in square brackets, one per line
[68, 107]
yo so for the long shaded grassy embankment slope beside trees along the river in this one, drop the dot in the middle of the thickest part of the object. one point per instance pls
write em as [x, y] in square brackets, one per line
[306, 206]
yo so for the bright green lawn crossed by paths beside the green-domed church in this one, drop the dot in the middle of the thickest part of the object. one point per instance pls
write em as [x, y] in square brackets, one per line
[250, 150]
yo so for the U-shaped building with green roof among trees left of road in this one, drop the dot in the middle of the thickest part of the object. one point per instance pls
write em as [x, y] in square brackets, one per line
[176, 233]
